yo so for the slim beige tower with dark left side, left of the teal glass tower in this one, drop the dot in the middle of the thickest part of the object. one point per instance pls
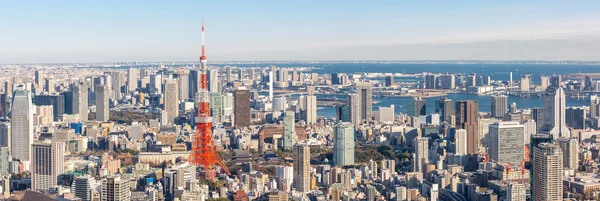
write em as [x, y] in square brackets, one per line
[302, 167]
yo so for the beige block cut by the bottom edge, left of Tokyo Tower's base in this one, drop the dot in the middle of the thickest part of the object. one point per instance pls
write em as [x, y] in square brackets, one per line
[115, 189]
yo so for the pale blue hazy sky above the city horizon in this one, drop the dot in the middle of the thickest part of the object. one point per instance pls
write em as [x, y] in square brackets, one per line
[93, 31]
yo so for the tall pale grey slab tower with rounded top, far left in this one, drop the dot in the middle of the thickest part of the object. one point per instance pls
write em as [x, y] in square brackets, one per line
[21, 125]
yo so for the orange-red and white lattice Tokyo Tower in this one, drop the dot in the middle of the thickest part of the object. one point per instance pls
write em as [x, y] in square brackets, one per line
[203, 148]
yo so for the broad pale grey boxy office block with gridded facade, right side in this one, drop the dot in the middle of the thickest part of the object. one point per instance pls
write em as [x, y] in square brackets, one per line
[506, 142]
